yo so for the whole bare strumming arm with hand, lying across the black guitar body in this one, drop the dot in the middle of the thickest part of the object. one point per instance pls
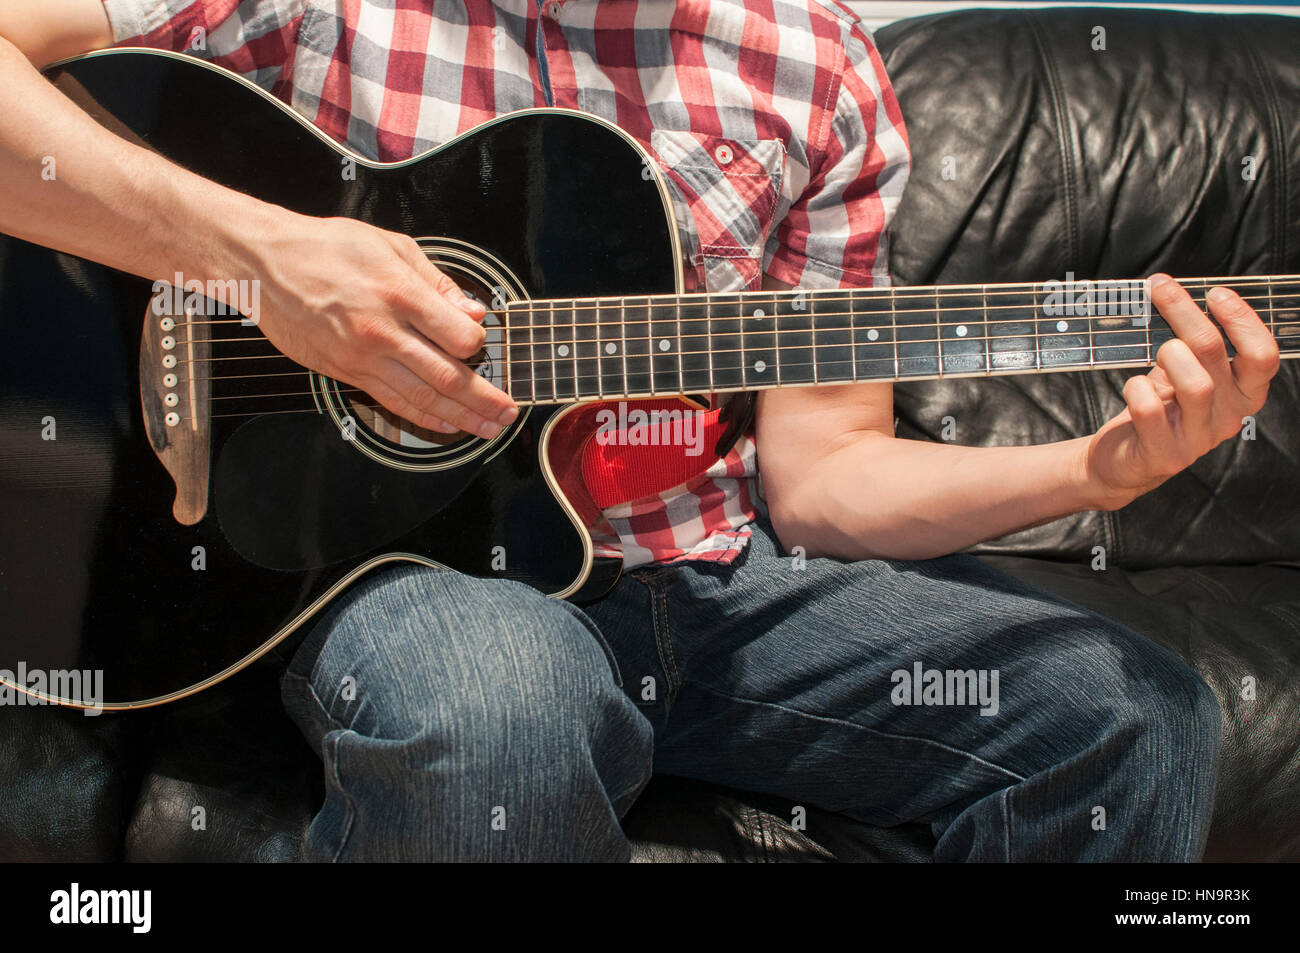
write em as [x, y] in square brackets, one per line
[344, 298]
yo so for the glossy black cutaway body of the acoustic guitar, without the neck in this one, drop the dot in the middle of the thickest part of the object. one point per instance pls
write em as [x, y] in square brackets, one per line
[98, 573]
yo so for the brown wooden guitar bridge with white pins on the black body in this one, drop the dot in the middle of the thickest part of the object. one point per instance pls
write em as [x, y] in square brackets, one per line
[175, 401]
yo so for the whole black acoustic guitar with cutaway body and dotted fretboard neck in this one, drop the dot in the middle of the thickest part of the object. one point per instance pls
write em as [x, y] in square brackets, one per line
[177, 497]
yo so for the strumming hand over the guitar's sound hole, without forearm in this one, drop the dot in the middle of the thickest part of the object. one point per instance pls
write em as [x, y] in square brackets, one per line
[365, 306]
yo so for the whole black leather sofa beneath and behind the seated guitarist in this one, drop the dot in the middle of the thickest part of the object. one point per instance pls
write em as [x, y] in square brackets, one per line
[1060, 158]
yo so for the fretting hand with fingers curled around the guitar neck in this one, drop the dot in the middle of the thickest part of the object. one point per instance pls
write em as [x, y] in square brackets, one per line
[1193, 400]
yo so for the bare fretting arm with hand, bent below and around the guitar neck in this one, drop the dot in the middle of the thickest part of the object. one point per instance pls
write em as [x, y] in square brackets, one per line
[839, 483]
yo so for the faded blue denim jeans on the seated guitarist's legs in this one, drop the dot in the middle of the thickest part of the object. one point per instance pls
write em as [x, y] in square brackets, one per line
[476, 720]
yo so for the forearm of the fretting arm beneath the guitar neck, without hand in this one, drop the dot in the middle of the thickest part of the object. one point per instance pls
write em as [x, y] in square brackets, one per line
[883, 497]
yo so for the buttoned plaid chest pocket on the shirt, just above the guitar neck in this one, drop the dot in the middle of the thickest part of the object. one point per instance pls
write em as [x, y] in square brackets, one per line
[729, 196]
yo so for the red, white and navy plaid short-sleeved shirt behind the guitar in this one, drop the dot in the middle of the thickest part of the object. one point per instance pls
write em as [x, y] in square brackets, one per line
[773, 122]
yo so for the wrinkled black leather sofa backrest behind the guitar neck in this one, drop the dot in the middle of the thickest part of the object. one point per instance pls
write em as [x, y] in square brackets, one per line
[1107, 144]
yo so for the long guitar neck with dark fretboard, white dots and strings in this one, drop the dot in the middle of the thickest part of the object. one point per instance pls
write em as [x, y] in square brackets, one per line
[564, 352]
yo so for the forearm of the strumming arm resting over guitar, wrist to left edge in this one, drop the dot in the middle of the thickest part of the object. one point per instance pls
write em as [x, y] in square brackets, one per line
[72, 185]
